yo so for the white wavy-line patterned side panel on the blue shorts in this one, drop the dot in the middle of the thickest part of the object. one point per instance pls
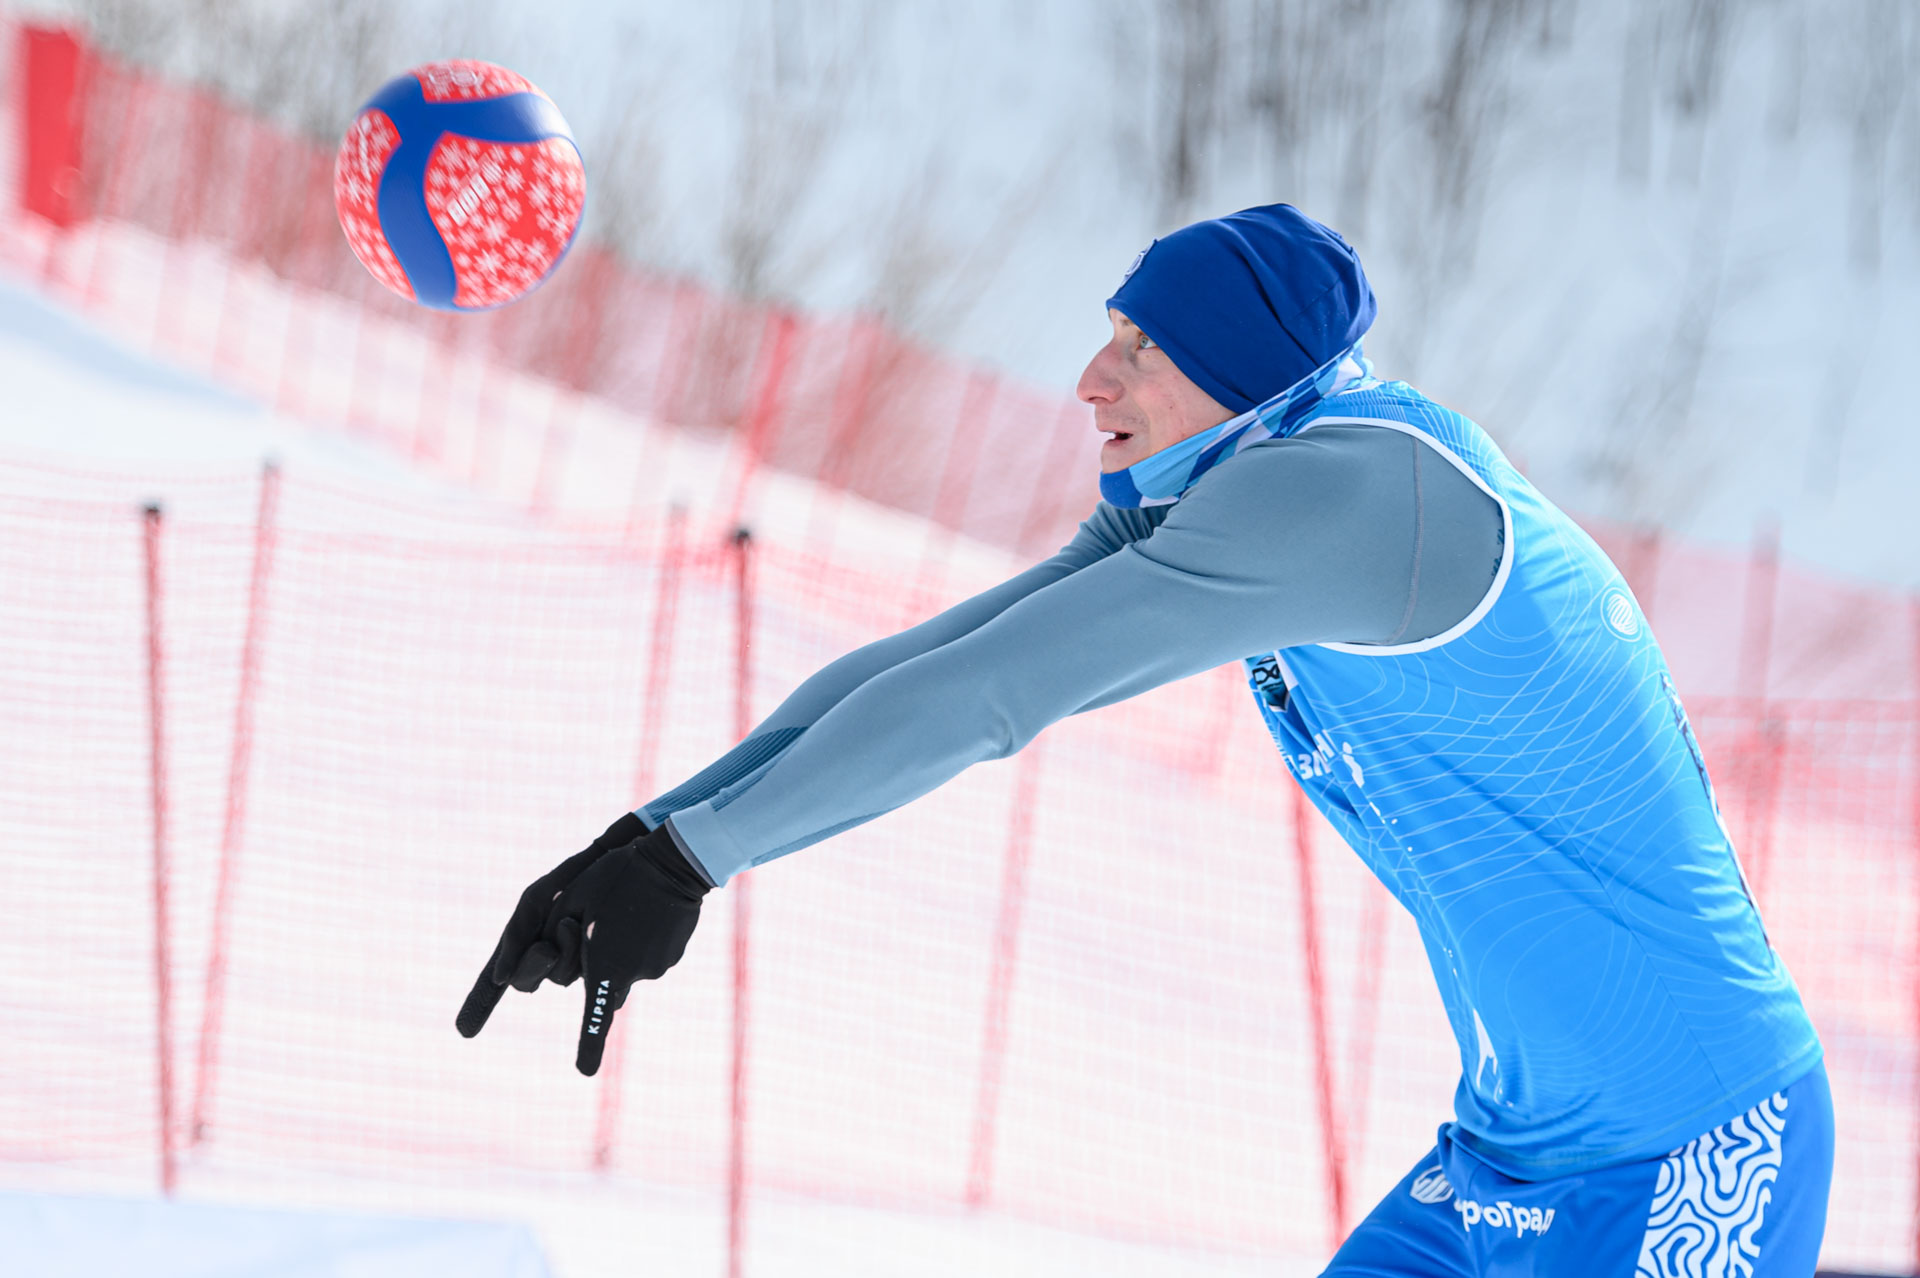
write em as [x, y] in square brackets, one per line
[1712, 1198]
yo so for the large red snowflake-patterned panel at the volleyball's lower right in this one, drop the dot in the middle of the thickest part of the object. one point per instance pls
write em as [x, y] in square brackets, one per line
[506, 212]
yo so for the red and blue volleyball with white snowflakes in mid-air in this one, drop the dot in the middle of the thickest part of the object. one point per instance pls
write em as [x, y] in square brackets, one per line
[460, 185]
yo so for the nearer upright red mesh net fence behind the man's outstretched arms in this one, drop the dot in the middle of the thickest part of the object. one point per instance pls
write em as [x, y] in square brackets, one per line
[274, 780]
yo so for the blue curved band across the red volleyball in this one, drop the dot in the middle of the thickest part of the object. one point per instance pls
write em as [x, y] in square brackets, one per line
[404, 220]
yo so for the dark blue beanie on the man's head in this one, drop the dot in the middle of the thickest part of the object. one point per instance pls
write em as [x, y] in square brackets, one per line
[1249, 304]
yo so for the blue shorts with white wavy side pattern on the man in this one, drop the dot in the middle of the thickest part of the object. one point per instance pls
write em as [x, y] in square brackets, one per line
[1748, 1198]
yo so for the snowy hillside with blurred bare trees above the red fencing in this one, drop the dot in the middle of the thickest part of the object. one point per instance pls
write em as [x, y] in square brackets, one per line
[1683, 281]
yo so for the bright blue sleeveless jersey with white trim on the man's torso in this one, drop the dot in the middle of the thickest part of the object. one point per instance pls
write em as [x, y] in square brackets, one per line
[1529, 788]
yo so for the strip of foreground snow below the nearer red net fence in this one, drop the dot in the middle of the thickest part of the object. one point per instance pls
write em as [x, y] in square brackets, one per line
[585, 1229]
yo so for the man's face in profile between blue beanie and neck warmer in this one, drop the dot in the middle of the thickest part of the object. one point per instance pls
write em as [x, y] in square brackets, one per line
[1141, 400]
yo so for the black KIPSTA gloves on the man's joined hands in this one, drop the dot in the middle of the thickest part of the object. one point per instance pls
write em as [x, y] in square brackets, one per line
[619, 912]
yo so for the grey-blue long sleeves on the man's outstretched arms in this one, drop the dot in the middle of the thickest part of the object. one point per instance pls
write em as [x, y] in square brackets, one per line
[1341, 534]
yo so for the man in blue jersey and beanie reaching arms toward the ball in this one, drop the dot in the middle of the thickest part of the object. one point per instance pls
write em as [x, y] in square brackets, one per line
[1462, 684]
